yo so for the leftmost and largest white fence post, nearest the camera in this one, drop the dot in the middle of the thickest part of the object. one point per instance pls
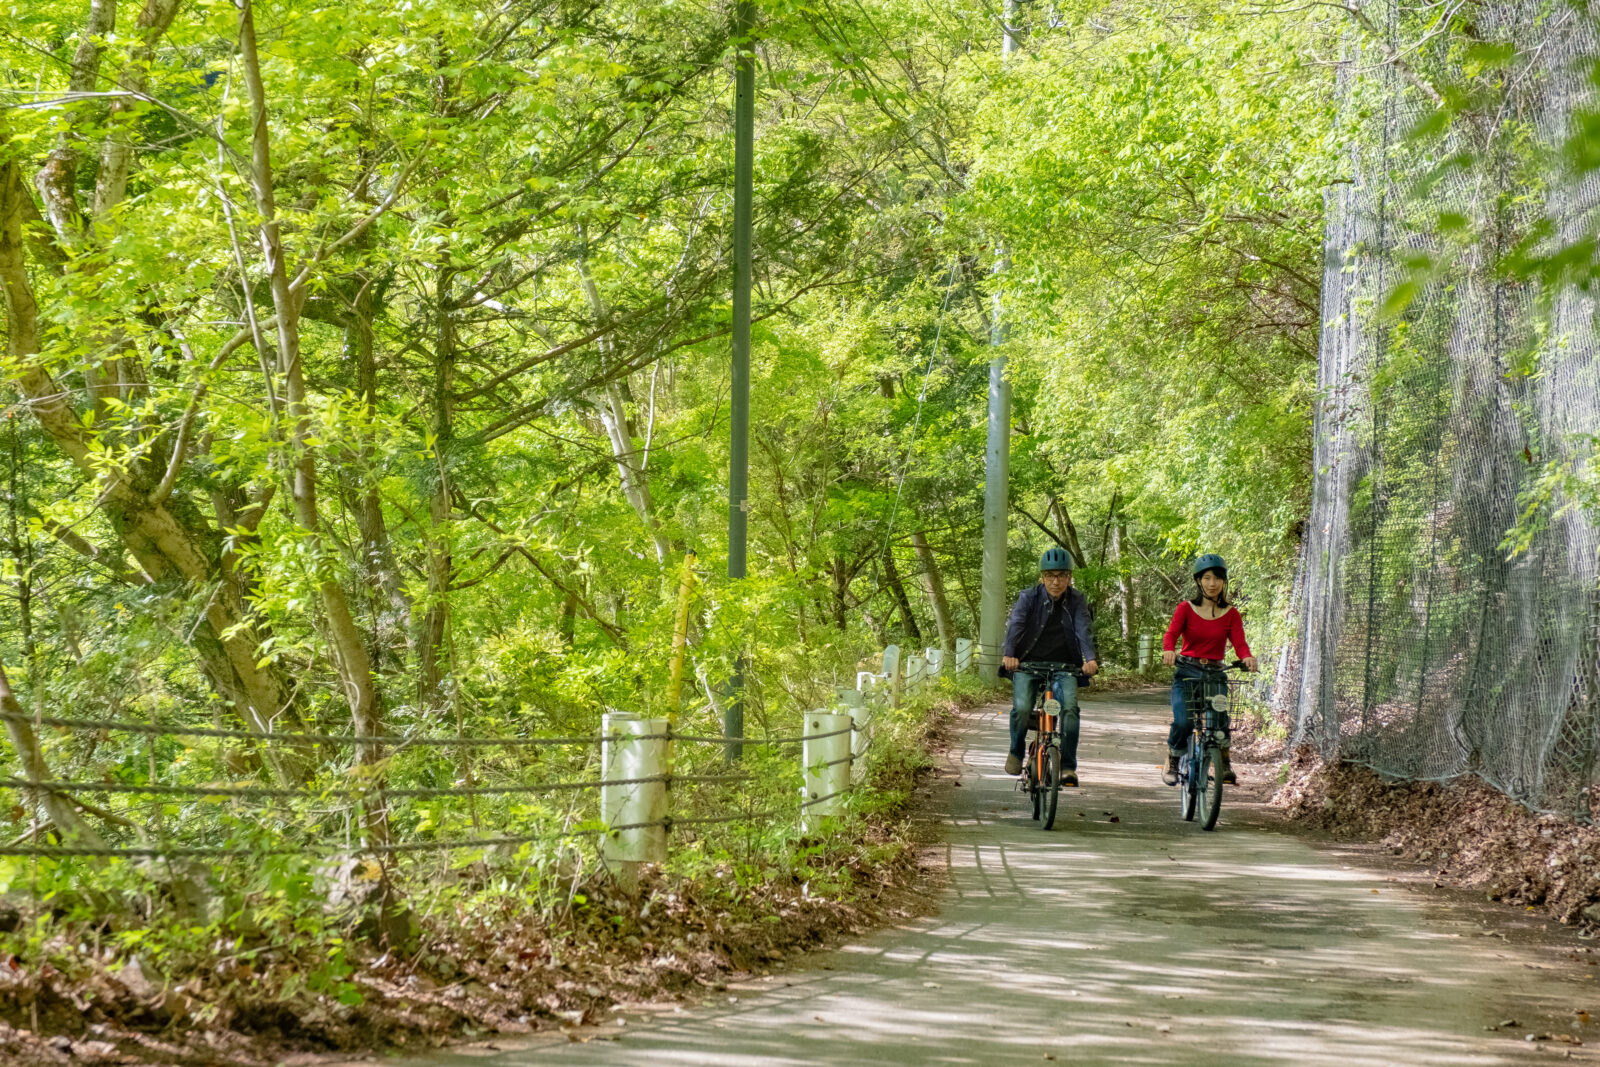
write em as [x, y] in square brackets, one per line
[634, 748]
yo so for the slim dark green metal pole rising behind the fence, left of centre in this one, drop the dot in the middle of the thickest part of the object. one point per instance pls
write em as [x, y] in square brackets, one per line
[740, 446]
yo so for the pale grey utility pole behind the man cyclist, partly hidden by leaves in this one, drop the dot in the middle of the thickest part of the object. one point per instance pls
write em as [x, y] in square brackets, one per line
[998, 455]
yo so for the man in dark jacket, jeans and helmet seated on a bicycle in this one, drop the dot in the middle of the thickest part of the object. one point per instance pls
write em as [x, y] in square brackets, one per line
[1050, 625]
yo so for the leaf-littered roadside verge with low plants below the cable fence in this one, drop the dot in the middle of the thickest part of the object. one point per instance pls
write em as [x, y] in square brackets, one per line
[497, 957]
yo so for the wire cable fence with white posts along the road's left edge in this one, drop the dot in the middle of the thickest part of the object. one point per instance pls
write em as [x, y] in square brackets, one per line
[359, 809]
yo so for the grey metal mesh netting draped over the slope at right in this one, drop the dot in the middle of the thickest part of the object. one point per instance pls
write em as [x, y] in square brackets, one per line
[1426, 649]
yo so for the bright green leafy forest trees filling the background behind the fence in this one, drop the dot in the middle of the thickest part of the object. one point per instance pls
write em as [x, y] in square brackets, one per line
[367, 364]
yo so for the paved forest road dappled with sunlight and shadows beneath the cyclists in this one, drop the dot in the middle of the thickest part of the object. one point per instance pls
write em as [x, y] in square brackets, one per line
[1140, 941]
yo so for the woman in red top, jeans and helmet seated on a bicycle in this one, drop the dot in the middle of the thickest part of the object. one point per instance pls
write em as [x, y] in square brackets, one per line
[1209, 625]
